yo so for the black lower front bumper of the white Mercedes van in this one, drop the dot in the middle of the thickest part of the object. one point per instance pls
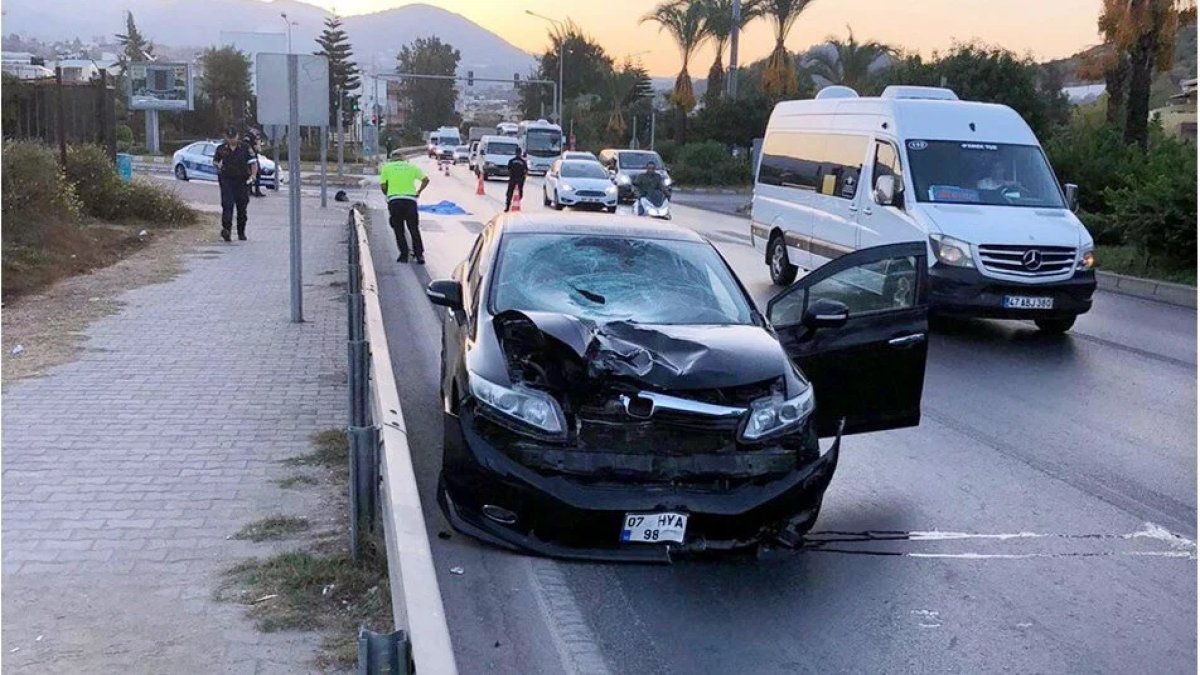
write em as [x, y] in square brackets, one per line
[967, 292]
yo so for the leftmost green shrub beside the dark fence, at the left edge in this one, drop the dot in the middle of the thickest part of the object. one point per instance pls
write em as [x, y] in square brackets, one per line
[35, 192]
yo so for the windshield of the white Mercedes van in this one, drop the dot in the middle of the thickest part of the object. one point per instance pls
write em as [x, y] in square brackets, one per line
[956, 172]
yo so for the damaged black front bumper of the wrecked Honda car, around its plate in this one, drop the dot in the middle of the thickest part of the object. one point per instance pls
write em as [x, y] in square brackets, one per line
[562, 516]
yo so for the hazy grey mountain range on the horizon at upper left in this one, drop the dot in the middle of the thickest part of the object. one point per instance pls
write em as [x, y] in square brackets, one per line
[375, 38]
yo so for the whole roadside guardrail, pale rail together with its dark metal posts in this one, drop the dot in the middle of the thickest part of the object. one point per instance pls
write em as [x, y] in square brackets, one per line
[383, 486]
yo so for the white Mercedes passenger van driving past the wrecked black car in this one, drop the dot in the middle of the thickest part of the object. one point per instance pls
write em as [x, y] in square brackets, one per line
[843, 172]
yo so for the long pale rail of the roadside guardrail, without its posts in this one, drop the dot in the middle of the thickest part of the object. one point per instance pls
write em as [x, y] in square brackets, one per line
[416, 598]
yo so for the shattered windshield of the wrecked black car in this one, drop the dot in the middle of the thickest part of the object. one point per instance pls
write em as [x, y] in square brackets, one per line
[610, 278]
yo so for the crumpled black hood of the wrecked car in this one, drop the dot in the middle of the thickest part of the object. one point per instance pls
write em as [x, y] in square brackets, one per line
[664, 357]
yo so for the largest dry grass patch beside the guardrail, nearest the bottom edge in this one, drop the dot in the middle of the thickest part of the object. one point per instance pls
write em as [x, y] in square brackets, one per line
[316, 592]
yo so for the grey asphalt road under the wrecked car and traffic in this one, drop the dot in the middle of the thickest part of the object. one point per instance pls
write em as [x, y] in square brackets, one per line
[1041, 519]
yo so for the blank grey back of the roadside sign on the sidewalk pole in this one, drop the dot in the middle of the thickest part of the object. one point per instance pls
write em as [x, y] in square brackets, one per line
[313, 83]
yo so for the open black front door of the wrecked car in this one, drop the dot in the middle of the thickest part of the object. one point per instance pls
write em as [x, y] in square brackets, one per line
[859, 330]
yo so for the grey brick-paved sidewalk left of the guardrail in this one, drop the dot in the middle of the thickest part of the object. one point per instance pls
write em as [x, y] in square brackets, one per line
[127, 470]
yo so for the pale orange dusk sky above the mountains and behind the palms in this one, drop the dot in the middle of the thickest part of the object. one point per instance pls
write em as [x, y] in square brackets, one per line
[1047, 29]
